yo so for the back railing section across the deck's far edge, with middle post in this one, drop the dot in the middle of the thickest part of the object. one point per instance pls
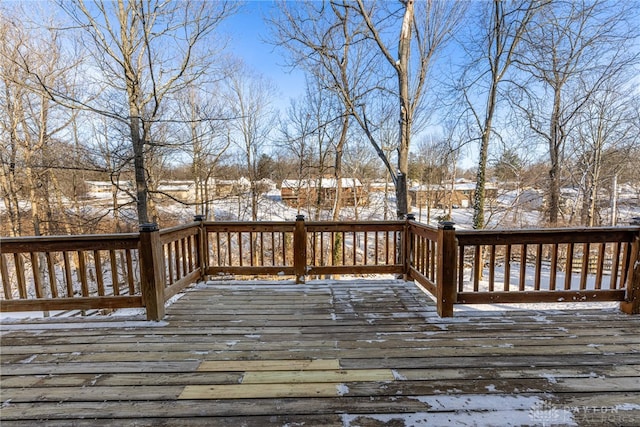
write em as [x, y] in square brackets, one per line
[303, 249]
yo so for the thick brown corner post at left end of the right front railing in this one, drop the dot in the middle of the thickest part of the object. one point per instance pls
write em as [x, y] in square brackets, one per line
[446, 279]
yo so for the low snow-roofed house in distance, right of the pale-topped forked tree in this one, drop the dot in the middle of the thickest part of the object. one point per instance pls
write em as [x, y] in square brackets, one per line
[461, 194]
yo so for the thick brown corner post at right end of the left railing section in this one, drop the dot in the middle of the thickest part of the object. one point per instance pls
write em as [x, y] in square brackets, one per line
[152, 278]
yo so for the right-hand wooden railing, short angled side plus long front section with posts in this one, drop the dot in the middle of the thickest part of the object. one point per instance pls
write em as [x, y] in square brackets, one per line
[526, 266]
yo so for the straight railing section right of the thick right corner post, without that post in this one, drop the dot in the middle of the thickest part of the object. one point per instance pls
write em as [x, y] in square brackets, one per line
[518, 266]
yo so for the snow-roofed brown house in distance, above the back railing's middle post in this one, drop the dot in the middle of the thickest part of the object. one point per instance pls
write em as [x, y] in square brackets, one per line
[322, 192]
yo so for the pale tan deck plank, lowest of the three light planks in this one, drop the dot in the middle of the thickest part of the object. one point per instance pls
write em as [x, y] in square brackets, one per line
[261, 391]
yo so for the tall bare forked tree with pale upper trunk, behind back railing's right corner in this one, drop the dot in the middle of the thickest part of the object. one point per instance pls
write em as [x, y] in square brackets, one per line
[344, 42]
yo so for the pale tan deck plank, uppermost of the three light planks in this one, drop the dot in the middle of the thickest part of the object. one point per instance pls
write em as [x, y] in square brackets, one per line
[268, 365]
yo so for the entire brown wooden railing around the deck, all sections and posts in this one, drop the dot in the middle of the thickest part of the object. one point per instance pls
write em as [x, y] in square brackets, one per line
[145, 269]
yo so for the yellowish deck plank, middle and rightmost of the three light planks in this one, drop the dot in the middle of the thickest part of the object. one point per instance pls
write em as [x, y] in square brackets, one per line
[317, 376]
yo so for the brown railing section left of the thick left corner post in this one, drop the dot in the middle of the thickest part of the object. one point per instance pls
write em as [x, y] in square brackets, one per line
[70, 272]
